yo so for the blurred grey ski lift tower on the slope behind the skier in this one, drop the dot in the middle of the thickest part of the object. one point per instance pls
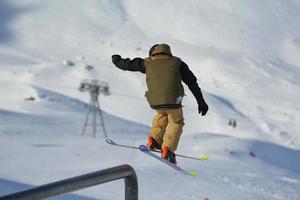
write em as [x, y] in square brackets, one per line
[95, 88]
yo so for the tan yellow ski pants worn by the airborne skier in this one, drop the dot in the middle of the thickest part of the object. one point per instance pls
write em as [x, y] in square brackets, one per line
[167, 127]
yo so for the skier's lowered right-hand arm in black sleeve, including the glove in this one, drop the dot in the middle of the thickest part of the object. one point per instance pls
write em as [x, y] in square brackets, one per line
[191, 81]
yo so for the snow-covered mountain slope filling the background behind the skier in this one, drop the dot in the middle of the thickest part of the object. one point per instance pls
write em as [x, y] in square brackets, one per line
[244, 54]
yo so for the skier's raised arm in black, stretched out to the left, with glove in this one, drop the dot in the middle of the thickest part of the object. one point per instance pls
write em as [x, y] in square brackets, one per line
[136, 64]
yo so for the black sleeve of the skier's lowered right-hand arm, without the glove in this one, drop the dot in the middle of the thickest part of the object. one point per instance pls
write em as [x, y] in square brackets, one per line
[191, 81]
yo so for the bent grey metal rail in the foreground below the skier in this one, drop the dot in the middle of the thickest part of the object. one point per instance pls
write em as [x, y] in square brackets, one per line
[81, 182]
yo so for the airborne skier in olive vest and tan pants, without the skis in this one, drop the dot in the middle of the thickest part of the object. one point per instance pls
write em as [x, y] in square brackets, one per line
[164, 73]
